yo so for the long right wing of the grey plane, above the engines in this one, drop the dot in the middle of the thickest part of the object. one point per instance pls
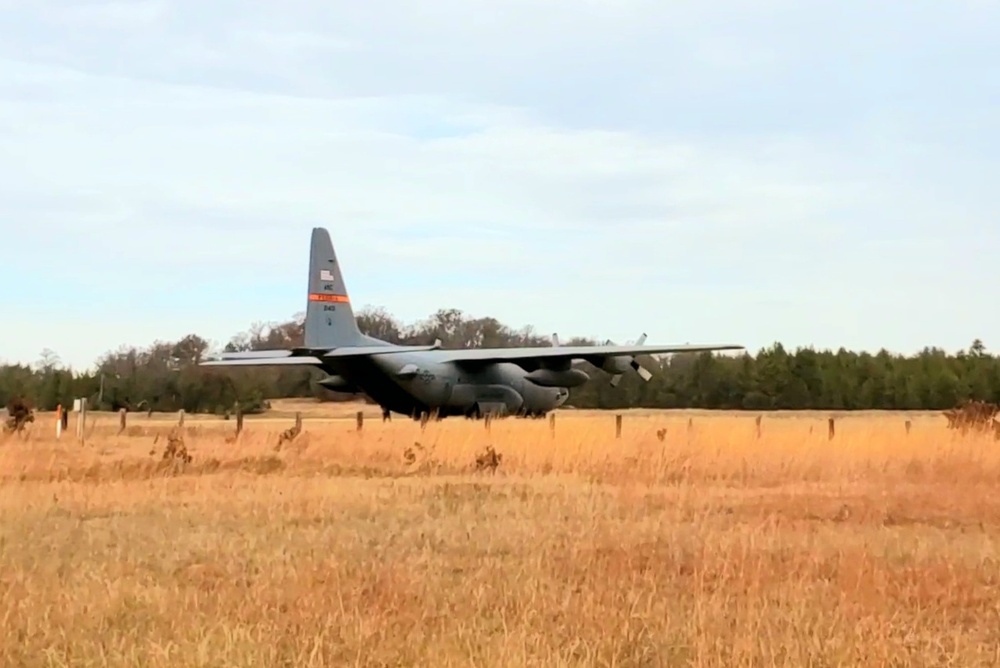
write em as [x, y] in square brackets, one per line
[531, 357]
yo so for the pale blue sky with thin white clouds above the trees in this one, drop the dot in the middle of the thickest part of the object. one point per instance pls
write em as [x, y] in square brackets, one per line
[818, 173]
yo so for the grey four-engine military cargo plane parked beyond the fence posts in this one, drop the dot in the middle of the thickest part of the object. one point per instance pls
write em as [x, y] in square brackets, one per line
[428, 380]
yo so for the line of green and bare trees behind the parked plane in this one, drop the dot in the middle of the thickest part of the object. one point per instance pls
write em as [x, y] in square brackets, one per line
[165, 377]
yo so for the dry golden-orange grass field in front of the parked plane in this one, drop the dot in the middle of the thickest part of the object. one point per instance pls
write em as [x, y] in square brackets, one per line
[710, 546]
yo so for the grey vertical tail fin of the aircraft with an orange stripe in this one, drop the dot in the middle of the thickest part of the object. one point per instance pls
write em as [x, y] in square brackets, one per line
[330, 320]
